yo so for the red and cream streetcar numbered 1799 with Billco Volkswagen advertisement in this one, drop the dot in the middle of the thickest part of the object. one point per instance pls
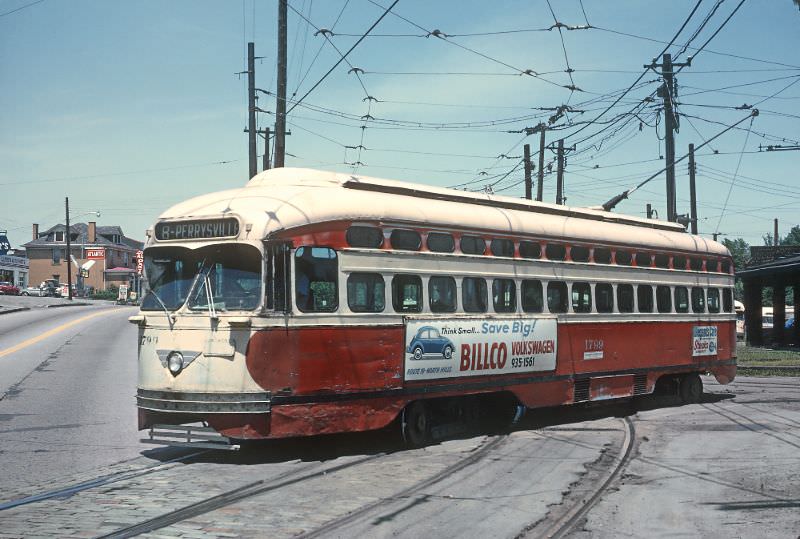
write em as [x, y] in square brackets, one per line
[311, 302]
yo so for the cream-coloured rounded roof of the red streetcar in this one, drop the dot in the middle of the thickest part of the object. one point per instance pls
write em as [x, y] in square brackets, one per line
[286, 198]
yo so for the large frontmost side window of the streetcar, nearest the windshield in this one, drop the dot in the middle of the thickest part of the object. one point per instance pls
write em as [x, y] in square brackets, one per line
[316, 272]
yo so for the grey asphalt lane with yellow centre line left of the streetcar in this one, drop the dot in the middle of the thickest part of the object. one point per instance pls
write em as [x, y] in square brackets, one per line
[67, 387]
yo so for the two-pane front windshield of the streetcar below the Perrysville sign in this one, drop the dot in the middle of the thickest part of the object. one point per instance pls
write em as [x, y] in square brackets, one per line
[217, 278]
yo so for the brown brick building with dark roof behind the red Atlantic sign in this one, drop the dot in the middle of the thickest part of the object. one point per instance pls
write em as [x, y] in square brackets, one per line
[107, 254]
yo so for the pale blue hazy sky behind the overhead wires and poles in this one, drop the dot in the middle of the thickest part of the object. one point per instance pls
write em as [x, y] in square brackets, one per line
[128, 107]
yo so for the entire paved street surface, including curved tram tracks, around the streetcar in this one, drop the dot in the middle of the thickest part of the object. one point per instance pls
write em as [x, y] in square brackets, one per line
[727, 467]
